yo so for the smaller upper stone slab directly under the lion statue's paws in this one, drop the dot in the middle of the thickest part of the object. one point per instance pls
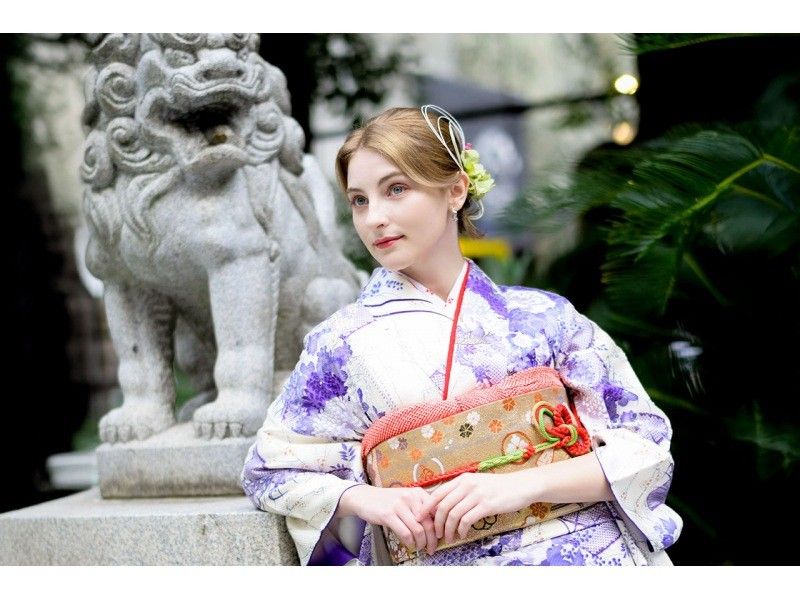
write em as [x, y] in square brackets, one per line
[173, 463]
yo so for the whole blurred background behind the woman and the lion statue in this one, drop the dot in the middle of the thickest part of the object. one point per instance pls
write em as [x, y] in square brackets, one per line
[652, 179]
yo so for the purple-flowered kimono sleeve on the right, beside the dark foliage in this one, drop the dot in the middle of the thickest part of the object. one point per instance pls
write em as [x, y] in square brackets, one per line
[630, 434]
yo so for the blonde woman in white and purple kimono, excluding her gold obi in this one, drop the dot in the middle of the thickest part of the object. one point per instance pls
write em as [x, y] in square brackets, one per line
[413, 185]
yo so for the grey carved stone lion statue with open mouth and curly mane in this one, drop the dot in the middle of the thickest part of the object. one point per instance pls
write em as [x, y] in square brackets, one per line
[213, 250]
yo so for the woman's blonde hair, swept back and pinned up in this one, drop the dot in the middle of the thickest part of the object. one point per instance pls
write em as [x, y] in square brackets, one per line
[402, 136]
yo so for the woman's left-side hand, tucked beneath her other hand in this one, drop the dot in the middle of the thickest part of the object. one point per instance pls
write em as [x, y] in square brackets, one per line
[399, 509]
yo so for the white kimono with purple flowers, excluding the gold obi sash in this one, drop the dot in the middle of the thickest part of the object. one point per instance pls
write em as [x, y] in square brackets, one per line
[388, 350]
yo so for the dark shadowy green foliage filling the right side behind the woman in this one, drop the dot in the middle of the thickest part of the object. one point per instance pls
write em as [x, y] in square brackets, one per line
[689, 255]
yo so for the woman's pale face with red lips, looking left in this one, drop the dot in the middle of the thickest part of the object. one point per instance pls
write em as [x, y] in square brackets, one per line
[386, 203]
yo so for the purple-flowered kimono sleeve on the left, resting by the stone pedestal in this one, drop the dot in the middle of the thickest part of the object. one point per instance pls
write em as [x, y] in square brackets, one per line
[307, 452]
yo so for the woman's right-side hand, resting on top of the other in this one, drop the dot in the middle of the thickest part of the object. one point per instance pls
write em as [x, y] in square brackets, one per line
[456, 505]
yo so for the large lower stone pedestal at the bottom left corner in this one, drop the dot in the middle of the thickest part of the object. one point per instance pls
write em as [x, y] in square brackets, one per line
[85, 529]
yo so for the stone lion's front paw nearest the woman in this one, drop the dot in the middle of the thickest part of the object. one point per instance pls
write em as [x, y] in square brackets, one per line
[230, 416]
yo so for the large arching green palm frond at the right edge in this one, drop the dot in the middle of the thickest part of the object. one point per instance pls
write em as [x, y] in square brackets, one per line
[714, 182]
